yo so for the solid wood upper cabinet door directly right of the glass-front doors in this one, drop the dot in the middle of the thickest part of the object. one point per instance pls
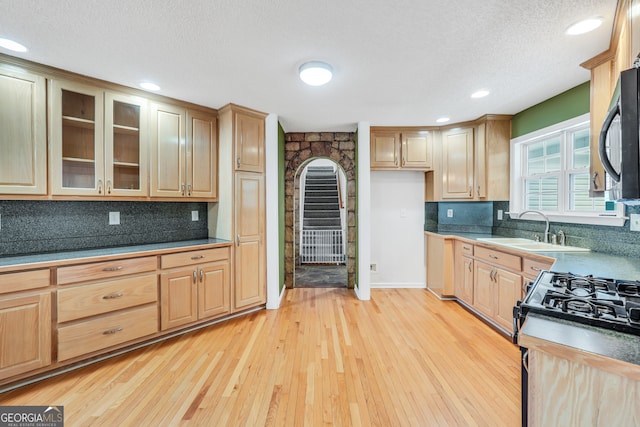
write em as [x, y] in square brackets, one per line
[168, 175]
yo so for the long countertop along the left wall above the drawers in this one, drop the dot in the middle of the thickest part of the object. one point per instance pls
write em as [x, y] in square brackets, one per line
[45, 258]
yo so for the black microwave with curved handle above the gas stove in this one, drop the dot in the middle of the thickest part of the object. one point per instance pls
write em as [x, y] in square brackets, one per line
[619, 140]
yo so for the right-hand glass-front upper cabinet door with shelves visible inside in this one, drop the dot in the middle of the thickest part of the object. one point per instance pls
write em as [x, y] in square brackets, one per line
[125, 136]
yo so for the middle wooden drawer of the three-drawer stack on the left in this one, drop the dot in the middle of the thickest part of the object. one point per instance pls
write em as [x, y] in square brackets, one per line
[76, 302]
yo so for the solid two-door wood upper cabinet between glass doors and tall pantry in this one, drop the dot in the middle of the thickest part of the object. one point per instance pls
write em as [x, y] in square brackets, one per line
[183, 153]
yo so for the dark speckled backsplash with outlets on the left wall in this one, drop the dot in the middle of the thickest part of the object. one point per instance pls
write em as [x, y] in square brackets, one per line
[29, 227]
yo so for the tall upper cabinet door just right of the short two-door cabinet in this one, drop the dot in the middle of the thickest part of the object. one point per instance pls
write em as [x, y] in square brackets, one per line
[457, 164]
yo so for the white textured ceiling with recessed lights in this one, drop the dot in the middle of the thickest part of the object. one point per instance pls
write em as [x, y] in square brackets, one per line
[396, 62]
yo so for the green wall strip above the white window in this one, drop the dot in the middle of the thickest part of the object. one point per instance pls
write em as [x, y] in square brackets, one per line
[564, 106]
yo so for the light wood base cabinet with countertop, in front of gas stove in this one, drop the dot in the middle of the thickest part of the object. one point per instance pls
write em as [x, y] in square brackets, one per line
[580, 375]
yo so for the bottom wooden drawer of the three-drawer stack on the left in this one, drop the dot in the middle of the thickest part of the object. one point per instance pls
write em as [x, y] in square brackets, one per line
[106, 331]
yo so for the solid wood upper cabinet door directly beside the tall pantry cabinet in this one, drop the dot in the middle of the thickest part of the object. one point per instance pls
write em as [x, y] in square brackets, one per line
[202, 155]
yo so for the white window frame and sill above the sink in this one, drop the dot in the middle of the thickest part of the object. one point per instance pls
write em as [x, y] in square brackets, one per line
[517, 203]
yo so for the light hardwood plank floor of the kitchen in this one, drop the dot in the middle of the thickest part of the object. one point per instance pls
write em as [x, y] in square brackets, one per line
[324, 358]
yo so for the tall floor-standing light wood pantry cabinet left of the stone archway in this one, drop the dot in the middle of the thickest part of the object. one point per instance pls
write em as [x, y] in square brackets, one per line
[240, 215]
